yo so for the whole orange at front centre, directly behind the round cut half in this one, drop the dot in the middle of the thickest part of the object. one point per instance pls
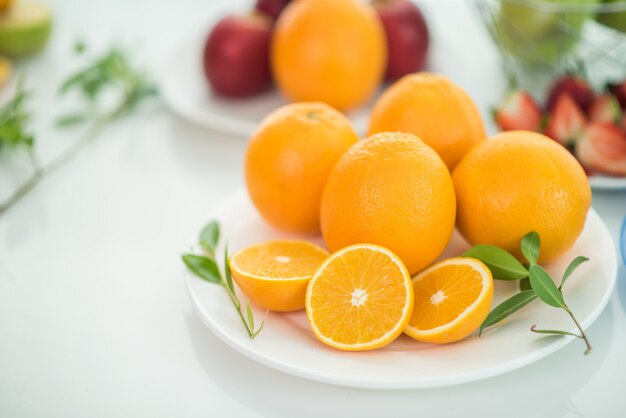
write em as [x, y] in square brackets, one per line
[394, 191]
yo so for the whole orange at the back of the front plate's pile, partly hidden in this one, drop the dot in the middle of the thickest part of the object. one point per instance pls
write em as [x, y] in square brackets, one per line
[433, 108]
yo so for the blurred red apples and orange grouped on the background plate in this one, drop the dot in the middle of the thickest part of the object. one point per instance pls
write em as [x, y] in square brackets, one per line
[335, 51]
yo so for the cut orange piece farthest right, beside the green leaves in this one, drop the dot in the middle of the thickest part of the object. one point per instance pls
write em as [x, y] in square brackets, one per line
[452, 299]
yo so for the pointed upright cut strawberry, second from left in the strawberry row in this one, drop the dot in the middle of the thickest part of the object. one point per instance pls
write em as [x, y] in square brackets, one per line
[567, 121]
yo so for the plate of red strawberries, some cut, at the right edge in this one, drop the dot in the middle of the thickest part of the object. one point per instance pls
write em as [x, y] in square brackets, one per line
[590, 123]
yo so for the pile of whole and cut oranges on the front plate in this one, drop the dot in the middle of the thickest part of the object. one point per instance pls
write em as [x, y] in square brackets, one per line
[386, 207]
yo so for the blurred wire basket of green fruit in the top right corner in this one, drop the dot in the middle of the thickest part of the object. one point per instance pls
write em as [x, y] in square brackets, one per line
[549, 33]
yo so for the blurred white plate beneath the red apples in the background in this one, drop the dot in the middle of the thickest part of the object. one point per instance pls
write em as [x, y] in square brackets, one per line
[186, 92]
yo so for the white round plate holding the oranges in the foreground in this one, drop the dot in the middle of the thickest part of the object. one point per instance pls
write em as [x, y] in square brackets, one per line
[286, 343]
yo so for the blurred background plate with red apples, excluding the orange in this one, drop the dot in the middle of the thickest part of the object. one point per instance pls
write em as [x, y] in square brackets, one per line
[221, 76]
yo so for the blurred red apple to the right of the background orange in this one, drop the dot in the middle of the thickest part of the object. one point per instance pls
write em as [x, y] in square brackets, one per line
[407, 36]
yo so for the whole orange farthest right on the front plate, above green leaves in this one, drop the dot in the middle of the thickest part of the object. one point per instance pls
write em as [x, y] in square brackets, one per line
[517, 182]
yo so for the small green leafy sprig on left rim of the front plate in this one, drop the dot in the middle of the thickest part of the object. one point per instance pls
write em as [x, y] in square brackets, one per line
[205, 267]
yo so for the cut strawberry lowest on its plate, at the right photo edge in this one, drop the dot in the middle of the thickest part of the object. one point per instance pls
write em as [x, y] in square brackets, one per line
[602, 147]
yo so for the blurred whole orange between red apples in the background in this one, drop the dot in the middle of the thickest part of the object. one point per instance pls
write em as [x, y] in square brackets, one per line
[329, 50]
